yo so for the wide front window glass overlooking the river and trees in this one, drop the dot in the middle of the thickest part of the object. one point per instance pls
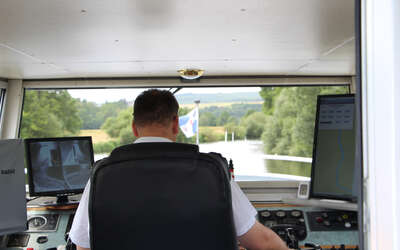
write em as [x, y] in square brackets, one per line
[267, 132]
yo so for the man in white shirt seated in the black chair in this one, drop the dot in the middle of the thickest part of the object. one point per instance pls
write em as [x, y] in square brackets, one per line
[156, 120]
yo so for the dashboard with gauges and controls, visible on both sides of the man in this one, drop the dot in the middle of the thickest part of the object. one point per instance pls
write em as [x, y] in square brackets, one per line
[327, 228]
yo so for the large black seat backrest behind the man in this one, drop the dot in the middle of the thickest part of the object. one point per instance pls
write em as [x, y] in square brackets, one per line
[161, 196]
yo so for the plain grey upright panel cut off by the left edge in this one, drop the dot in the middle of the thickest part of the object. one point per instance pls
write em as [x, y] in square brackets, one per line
[13, 215]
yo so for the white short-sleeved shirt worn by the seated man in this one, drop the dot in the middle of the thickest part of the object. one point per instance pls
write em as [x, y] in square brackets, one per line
[243, 212]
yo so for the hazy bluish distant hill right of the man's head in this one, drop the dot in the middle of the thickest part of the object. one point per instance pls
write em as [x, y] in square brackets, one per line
[219, 97]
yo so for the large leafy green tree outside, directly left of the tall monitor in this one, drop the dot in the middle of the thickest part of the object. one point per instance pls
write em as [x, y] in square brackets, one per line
[289, 128]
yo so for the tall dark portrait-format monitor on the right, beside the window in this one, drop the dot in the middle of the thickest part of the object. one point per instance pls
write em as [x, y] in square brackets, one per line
[333, 172]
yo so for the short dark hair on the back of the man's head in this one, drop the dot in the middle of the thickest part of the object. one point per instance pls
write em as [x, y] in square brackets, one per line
[155, 106]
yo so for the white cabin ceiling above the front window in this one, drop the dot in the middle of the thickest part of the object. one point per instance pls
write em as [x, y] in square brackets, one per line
[140, 38]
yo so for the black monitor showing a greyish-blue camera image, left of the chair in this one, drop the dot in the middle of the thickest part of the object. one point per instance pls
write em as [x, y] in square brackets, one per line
[58, 166]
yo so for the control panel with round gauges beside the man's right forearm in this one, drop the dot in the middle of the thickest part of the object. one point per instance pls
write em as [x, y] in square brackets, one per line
[310, 227]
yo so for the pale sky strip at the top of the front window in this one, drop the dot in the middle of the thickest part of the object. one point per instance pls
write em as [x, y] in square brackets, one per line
[100, 96]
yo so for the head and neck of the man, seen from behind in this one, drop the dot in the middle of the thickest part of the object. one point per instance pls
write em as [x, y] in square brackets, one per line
[155, 113]
